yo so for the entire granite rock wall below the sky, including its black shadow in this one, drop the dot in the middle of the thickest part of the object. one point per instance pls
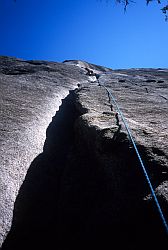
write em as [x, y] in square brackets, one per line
[84, 186]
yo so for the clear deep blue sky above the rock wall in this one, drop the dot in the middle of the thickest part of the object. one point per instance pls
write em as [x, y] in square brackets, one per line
[89, 30]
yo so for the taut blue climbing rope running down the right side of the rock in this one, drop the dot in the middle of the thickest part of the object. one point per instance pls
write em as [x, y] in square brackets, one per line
[140, 159]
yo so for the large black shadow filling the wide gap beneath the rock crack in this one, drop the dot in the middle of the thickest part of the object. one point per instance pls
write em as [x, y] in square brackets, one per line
[70, 200]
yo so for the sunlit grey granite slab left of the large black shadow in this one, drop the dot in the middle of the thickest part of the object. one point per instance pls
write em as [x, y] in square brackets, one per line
[30, 94]
